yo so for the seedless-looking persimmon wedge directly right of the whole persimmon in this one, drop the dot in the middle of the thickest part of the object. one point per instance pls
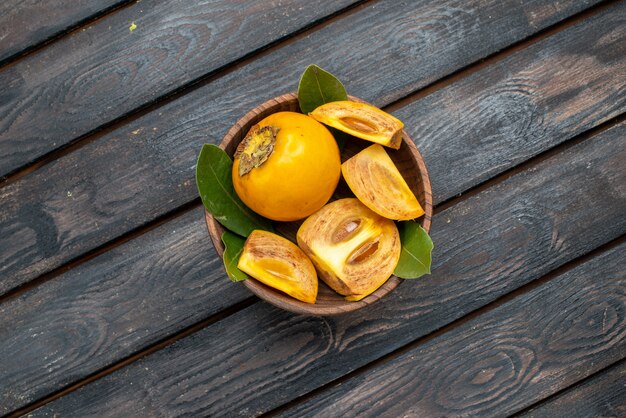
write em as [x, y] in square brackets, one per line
[374, 179]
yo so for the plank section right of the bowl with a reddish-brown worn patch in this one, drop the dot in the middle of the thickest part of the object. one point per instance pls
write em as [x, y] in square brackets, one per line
[522, 105]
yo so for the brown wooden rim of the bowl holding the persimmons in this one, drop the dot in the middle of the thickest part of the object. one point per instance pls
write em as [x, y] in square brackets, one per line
[277, 298]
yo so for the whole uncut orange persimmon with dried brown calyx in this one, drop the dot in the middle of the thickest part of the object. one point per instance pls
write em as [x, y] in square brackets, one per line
[287, 167]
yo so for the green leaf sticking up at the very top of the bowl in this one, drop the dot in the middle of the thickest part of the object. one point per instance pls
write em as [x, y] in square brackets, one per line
[318, 87]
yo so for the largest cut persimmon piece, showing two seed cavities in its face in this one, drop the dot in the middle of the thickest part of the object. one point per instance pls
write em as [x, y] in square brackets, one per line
[354, 249]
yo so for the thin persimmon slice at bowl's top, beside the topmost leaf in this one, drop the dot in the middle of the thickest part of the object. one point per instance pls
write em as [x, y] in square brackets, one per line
[361, 120]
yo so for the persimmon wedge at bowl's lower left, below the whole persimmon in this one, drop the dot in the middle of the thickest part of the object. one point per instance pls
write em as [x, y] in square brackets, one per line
[279, 263]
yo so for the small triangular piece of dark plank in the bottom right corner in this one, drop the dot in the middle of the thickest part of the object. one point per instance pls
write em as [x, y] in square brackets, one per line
[603, 395]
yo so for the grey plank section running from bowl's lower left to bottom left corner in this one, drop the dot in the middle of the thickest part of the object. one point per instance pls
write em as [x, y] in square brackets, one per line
[110, 307]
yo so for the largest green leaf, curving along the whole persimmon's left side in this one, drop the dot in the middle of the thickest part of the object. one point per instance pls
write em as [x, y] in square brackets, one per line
[215, 184]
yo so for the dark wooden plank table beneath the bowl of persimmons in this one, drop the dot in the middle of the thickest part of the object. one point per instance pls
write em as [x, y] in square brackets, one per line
[115, 304]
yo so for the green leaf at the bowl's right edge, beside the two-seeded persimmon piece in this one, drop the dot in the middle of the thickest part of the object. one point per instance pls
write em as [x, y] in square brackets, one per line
[416, 251]
